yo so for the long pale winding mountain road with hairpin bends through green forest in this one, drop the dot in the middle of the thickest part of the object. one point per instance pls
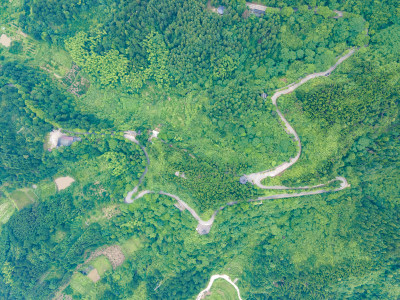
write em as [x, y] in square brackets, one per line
[204, 226]
